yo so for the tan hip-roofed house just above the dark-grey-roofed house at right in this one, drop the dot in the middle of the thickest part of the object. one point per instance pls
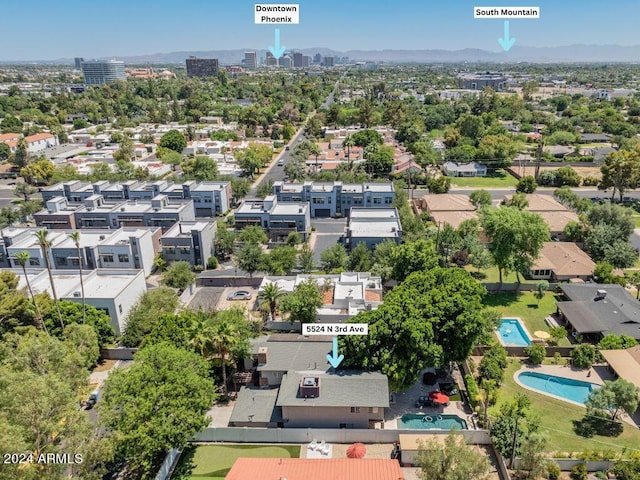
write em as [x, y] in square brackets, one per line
[562, 261]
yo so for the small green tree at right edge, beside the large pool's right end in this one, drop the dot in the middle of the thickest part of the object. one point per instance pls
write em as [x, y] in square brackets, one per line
[613, 398]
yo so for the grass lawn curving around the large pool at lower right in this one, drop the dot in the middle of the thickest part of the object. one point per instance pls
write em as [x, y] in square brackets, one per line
[556, 420]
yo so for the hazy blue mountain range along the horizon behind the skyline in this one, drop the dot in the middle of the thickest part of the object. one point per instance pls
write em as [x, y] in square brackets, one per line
[561, 54]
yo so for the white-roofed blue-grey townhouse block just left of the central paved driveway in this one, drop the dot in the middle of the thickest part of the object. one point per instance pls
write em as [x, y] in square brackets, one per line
[278, 218]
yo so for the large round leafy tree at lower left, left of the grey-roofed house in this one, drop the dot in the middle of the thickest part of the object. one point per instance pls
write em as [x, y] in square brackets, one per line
[177, 394]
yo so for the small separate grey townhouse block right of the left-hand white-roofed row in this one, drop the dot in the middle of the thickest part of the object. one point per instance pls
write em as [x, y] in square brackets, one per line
[191, 242]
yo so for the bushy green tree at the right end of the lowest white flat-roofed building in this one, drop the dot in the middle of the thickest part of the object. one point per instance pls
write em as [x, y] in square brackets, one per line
[143, 316]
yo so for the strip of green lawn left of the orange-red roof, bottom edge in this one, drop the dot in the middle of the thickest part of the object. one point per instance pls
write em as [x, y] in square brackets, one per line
[213, 462]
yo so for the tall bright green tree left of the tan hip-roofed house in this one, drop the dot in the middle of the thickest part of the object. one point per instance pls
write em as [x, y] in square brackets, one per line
[516, 238]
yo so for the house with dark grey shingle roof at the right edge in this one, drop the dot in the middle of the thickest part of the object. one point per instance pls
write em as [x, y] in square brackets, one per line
[595, 310]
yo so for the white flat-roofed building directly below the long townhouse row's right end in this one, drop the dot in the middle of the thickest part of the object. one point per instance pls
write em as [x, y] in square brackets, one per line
[372, 226]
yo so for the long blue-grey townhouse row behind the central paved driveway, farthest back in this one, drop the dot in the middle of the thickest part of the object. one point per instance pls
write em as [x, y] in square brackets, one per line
[336, 198]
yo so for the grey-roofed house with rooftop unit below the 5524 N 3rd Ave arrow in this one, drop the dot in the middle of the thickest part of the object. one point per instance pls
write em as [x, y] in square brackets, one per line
[343, 399]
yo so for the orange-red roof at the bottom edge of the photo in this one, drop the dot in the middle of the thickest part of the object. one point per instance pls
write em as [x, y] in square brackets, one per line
[315, 469]
